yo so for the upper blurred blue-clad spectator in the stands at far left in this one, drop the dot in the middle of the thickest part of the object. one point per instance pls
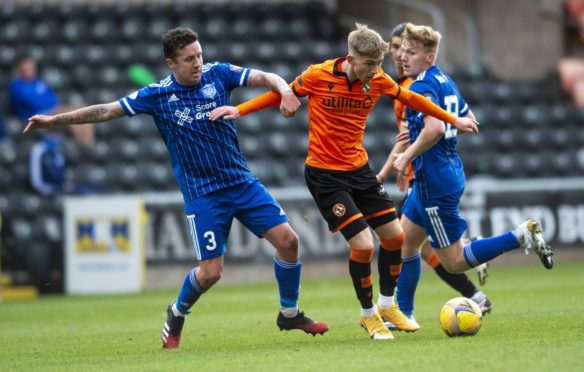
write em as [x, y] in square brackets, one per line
[30, 95]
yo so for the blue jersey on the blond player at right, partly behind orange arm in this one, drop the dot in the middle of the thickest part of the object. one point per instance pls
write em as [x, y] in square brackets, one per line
[438, 171]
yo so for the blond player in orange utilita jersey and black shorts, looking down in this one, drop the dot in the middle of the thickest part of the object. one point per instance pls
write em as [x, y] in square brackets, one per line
[341, 94]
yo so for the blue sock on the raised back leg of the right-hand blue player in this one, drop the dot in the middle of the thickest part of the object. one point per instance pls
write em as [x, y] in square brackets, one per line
[484, 250]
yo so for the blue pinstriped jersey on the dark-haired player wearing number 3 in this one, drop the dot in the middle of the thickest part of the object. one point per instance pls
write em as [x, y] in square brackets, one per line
[205, 155]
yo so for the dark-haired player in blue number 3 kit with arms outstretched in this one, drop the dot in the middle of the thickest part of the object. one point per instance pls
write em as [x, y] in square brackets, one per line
[214, 178]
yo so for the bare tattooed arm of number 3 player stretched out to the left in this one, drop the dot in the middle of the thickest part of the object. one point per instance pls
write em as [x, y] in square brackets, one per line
[90, 114]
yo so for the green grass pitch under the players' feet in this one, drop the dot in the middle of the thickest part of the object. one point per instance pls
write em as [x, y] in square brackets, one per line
[537, 323]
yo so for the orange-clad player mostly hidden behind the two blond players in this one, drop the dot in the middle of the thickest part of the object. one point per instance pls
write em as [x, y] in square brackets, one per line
[460, 282]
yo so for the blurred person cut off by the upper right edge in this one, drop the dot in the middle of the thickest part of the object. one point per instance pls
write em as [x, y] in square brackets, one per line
[571, 69]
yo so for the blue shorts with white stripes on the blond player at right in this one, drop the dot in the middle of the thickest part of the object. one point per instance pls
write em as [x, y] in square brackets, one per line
[439, 216]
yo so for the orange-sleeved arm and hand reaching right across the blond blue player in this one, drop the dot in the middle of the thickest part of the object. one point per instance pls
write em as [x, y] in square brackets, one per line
[419, 103]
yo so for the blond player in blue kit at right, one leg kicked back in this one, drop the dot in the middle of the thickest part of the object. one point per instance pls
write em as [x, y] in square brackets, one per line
[431, 210]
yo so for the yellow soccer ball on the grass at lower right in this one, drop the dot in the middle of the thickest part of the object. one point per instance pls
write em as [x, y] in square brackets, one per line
[461, 316]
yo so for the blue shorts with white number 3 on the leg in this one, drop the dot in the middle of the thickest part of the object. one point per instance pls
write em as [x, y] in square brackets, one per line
[209, 217]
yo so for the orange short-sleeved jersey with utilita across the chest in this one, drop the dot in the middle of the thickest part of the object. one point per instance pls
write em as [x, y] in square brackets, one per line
[337, 111]
